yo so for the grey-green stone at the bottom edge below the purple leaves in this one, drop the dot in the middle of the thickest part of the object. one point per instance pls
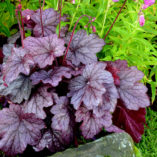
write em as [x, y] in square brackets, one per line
[114, 145]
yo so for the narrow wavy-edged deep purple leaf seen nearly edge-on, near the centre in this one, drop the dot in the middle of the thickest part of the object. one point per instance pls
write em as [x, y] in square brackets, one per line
[53, 76]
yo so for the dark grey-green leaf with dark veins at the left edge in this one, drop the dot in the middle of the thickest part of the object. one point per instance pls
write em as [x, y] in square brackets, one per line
[17, 90]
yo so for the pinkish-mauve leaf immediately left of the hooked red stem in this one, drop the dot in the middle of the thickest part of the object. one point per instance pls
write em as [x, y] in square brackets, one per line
[45, 49]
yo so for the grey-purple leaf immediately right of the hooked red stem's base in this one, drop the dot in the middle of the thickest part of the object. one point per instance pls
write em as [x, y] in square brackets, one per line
[83, 47]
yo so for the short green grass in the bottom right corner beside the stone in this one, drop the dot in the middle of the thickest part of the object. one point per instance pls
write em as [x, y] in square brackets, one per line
[148, 144]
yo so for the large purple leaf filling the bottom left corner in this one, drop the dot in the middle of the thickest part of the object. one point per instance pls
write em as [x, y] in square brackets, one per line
[17, 129]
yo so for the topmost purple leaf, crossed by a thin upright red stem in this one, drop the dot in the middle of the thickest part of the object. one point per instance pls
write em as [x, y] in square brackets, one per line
[50, 20]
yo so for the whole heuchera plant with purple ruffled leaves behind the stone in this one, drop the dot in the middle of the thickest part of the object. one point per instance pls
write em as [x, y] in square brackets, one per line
[55, 88]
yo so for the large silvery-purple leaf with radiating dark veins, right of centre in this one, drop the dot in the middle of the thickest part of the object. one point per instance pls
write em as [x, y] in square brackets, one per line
[89, 87]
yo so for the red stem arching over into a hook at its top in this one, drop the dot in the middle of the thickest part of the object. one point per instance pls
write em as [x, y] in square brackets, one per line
[66, 52]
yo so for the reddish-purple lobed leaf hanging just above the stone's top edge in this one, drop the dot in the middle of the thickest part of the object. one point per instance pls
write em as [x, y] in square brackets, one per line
[92, 124]
